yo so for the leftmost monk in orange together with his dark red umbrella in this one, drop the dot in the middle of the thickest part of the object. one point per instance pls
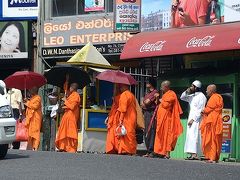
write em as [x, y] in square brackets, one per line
[32, 81]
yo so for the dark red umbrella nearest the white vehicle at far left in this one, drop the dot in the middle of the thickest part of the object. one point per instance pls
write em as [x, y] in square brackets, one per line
[25, 80]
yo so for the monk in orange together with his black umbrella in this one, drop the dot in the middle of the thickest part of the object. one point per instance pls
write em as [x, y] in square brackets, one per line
[62, 76]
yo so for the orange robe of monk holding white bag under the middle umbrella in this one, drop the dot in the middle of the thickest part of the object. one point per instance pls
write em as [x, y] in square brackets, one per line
[127, 113]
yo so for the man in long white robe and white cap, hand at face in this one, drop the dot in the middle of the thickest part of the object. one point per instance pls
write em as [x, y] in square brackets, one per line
[197, 101]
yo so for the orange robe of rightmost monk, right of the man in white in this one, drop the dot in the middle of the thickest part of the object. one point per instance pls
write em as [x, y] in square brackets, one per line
[212, 128]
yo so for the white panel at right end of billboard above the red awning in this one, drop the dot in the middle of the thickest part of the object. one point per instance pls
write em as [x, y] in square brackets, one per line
[231, 10]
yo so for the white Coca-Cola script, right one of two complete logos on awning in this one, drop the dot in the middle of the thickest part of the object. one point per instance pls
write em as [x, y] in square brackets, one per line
[200, 42]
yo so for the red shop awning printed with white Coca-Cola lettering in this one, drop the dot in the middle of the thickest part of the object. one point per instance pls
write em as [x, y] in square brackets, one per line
[218, 37]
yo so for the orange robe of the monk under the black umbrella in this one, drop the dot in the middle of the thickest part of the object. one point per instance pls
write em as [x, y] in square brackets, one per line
[67, 136]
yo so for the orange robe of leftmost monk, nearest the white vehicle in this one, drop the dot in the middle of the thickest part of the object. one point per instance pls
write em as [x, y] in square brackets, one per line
[34, 121]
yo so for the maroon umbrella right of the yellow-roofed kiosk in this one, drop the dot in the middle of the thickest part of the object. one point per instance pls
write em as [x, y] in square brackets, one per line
[117, 77]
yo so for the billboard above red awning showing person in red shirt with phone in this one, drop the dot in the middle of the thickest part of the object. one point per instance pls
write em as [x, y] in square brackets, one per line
[162, 14]
